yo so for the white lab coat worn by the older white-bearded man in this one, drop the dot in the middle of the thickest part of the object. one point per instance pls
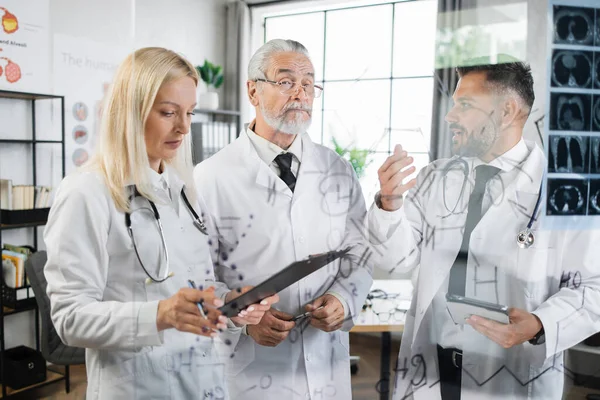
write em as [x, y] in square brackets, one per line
[263, 228]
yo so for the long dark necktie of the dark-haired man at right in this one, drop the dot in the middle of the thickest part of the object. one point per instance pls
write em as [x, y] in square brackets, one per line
[458, 273]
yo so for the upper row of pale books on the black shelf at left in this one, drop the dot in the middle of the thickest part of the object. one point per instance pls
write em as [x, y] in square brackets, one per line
[23, 197]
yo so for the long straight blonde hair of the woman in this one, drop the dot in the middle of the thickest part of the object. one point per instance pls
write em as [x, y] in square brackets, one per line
[121, 155]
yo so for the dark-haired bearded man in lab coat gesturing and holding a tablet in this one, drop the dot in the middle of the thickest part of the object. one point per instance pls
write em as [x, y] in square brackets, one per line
[460, 221]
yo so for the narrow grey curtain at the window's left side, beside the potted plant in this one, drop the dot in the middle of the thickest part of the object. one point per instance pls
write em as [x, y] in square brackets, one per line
[237, 56]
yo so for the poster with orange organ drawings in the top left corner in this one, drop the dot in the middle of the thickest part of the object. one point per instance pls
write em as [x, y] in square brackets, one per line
[25, 45]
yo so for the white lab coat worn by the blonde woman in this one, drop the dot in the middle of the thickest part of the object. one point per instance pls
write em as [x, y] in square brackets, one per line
[100, 299]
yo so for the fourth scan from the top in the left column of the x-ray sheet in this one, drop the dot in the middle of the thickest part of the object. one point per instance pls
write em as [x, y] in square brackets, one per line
[568, 154]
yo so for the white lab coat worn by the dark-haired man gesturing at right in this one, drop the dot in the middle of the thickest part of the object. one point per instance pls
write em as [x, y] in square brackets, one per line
[428, 236]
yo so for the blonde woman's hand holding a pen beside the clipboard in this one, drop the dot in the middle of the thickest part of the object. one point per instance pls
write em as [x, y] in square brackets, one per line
[181, 311]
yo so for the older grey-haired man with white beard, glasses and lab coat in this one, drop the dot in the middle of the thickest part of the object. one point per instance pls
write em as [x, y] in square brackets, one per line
[275, 197]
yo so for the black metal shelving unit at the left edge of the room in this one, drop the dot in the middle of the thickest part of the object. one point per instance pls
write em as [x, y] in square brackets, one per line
[26, 302]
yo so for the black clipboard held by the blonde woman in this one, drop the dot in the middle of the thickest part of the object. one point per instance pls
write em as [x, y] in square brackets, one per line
[281, 280]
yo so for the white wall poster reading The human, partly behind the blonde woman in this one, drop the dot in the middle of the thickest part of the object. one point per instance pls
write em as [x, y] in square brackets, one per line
[83, 70]
